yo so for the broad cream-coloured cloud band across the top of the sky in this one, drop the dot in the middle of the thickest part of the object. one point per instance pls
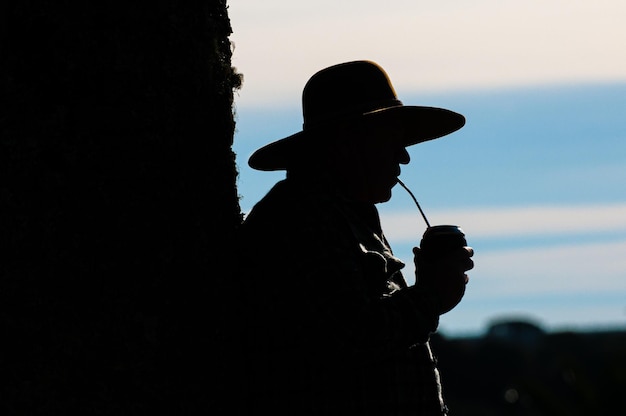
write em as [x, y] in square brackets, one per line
[427, 45]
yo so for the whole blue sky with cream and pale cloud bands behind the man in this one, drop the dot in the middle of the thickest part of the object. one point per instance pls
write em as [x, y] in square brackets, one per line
[536, 178]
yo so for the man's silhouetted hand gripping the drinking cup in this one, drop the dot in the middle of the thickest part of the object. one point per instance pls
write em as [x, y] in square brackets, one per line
[444, 275]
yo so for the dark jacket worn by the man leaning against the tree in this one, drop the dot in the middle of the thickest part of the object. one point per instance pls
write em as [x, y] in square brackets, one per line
[331, 326]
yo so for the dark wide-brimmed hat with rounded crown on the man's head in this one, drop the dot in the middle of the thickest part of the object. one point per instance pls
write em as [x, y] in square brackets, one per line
[353, 92]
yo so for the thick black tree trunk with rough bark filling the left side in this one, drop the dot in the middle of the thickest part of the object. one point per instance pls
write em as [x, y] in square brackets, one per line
[119, 203]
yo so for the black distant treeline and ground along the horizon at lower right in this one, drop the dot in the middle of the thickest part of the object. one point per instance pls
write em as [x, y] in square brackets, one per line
[517, 369]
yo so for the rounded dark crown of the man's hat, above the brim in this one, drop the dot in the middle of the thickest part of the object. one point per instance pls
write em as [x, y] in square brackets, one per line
[347, 90]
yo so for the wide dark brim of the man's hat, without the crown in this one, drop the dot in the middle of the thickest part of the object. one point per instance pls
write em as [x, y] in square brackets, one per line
[419, 123]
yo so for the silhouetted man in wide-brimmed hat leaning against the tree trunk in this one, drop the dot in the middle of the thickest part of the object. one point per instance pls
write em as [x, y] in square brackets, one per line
[331, 325]
